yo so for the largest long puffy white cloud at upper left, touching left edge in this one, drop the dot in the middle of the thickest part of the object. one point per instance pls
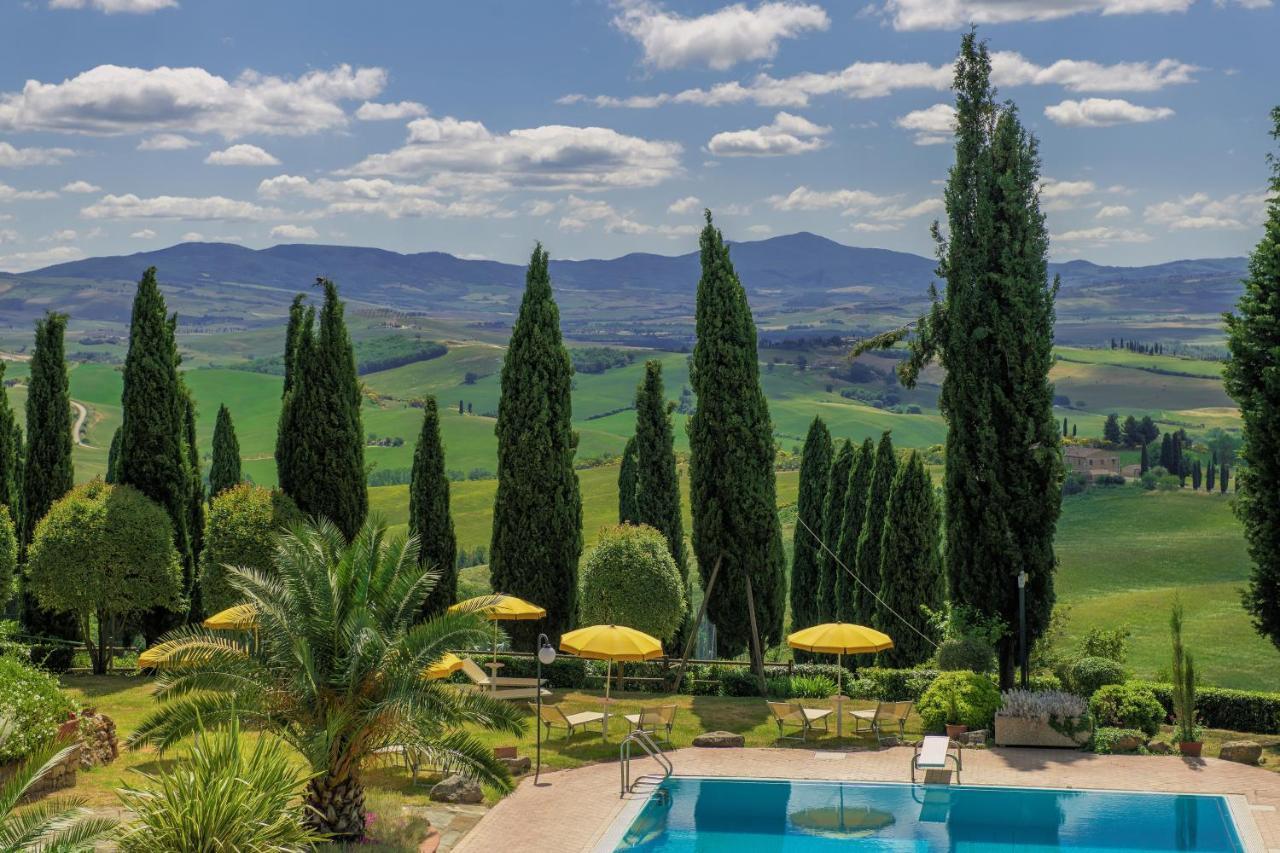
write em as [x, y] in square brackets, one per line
[115, 101]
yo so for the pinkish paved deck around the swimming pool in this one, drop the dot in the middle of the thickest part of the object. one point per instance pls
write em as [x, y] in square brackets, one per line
[573, 810]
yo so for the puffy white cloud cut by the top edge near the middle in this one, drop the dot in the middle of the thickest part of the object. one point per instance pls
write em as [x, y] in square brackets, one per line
[720, 39]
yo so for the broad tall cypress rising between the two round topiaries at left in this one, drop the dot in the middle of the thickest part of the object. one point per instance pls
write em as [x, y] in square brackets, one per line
[154, 455]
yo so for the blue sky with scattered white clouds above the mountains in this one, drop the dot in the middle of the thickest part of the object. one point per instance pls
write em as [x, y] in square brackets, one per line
[605, 127]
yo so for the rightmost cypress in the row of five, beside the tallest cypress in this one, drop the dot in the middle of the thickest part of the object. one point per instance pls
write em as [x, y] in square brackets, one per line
[911, 564]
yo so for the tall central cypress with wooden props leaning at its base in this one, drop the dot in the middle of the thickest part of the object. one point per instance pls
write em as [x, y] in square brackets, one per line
[732, 476]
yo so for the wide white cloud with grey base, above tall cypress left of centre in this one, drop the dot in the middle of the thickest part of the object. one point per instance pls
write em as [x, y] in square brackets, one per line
[551, 157]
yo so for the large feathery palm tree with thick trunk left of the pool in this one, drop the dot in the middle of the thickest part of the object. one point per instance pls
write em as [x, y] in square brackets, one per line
[337, 669]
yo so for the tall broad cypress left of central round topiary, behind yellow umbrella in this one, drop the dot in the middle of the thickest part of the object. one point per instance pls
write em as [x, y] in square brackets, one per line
[538, 510]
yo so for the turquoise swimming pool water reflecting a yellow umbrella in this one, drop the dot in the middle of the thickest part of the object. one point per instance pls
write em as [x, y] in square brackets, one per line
[723, 815]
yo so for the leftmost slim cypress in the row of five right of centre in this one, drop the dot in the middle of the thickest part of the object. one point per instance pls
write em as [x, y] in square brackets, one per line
[806, 553]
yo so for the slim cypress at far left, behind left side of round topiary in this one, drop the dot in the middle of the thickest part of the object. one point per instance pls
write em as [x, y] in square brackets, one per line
[48, 472]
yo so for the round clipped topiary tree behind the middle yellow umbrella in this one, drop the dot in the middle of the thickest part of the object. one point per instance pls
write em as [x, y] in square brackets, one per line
[632, 580]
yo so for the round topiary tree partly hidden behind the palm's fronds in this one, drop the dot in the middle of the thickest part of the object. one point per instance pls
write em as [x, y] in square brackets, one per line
[244, 522]
